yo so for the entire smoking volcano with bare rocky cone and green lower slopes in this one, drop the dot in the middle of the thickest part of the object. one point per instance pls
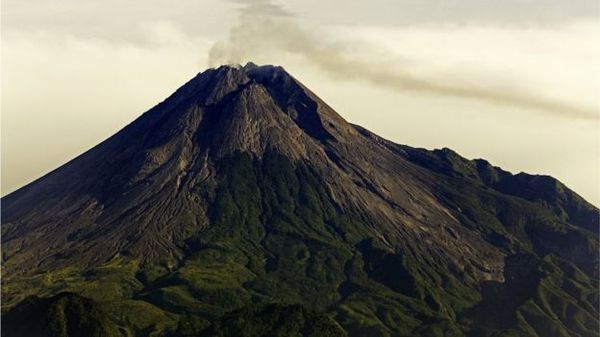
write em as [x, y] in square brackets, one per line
[243, 205]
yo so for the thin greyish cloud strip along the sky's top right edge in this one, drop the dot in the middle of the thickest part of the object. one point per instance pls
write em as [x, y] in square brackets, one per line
[466, 12]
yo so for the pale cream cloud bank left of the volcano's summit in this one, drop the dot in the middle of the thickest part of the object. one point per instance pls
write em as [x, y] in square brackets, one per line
[61, 95]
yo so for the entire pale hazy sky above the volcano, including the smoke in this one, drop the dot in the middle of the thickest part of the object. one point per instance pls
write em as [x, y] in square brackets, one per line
[516, 82]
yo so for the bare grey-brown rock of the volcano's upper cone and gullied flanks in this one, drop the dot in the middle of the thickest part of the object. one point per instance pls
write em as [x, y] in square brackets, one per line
[136, 187]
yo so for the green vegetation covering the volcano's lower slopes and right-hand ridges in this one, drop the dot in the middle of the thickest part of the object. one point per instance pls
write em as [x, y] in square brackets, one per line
[279, 259]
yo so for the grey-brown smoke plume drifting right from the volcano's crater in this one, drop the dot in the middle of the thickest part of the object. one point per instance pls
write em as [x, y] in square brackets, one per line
[275, 33]
